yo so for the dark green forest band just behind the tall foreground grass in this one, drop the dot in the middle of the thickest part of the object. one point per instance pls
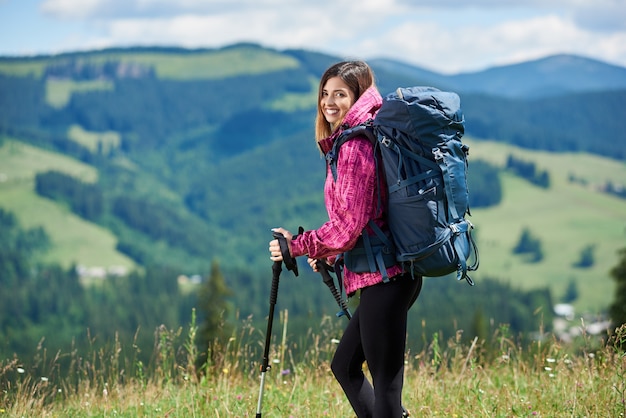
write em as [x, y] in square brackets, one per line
[50, 305]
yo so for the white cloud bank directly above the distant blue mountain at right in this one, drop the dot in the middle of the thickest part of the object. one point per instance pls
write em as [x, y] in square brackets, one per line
[452, 49]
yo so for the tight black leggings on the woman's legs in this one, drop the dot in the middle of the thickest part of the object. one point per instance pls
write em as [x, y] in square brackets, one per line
[377, 334]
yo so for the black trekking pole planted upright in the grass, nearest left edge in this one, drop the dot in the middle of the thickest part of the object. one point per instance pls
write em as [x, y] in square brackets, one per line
[291, 264]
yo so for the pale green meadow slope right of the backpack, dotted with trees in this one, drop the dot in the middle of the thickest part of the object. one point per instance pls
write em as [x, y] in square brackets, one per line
[566, 218]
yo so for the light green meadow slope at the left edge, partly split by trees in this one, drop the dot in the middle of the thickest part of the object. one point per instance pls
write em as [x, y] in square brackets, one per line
[74, 240]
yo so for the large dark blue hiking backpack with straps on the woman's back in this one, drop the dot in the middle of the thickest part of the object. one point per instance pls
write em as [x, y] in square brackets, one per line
[417, 135]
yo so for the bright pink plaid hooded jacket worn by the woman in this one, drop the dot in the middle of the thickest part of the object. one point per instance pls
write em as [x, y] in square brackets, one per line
[351, 201]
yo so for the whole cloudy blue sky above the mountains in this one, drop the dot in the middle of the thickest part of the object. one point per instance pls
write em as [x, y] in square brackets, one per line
[446, 36]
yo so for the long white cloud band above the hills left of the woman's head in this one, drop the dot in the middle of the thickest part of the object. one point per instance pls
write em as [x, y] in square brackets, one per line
[306, 26]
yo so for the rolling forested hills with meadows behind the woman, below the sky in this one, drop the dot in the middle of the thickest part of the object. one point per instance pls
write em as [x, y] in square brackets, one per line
[179, 159]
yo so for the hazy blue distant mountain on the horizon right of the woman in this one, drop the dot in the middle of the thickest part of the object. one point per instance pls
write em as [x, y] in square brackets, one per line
[547, 77]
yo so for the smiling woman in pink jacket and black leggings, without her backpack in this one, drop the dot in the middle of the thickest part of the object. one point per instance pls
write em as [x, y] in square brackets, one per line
[376, 333]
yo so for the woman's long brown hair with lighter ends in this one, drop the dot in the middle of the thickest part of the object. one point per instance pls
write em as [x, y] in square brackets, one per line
[356, 74]
